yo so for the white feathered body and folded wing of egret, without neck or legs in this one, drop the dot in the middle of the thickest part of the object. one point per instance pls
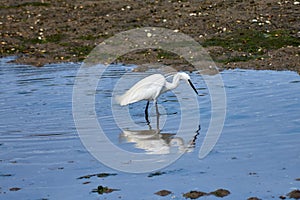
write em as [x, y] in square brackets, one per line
[146, 89]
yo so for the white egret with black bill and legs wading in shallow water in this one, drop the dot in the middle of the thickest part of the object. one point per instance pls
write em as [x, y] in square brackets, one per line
[150, 88]
